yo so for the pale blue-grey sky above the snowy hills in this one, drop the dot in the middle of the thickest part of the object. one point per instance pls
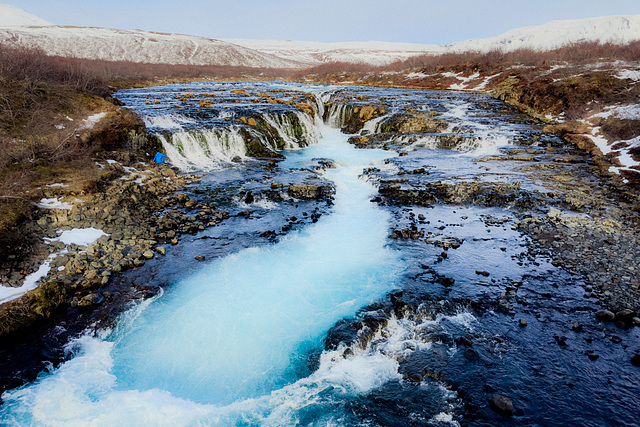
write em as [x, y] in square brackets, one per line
[415, 21]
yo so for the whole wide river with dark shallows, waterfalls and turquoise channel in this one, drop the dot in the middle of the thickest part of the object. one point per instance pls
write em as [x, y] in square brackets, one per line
[332, 322]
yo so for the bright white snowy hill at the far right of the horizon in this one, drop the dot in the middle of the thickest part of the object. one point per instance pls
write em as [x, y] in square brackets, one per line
[616, 29]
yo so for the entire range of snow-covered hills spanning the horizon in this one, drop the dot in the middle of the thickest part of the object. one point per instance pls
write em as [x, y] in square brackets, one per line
[18, 27]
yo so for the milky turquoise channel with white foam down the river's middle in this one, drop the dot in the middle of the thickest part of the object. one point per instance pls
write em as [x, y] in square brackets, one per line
[229, 344]
